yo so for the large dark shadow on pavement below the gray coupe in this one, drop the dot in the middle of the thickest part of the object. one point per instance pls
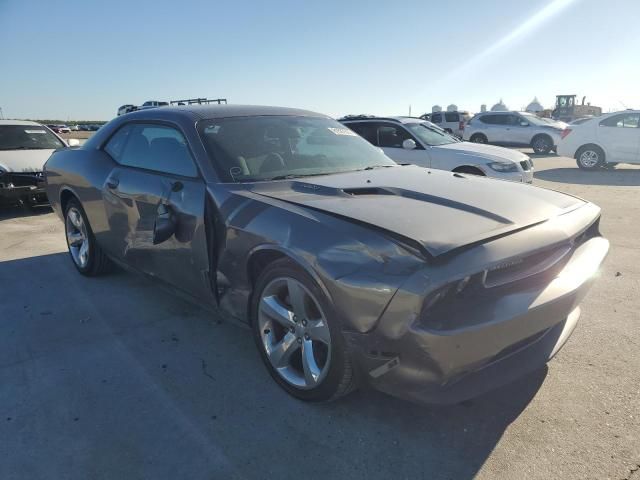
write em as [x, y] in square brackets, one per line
[110, 377]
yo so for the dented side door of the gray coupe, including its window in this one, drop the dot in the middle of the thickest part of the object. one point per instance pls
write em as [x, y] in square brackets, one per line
[155, 189]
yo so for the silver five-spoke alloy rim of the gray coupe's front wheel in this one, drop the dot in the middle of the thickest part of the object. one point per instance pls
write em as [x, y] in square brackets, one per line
[294, 333]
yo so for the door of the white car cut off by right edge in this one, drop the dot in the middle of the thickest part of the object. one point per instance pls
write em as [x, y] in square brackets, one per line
[620, 137]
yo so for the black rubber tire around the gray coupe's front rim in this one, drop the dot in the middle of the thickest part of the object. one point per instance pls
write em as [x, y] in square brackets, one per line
[340, 377]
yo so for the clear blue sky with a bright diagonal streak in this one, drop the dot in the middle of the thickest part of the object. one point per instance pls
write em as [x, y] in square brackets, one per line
[81, 59]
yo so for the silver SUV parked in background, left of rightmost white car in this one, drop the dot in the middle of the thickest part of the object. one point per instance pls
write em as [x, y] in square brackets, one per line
[518, 129]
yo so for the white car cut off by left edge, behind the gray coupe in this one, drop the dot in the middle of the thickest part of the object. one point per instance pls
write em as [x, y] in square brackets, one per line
[24, 148]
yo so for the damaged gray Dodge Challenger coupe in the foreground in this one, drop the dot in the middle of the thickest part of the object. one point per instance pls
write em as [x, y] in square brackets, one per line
[349, 269]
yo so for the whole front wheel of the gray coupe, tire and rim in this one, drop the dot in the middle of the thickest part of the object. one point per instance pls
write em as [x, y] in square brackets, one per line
[299, 336]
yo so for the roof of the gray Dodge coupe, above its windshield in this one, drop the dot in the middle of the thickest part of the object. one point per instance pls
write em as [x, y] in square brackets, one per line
[201, 112]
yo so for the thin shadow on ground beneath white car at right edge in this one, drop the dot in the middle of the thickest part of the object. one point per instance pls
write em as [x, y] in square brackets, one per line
[621, 176]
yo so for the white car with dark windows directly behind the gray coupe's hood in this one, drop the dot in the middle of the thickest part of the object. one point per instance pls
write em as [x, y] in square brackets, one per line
[416, 141]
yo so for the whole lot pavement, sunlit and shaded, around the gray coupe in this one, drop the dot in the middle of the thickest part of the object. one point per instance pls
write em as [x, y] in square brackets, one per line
[114, 378]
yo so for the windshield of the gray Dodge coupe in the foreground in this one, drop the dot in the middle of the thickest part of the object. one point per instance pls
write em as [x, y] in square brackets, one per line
[245, 149]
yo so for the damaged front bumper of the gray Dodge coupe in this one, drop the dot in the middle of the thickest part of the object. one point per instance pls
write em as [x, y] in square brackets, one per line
[482, 344]
